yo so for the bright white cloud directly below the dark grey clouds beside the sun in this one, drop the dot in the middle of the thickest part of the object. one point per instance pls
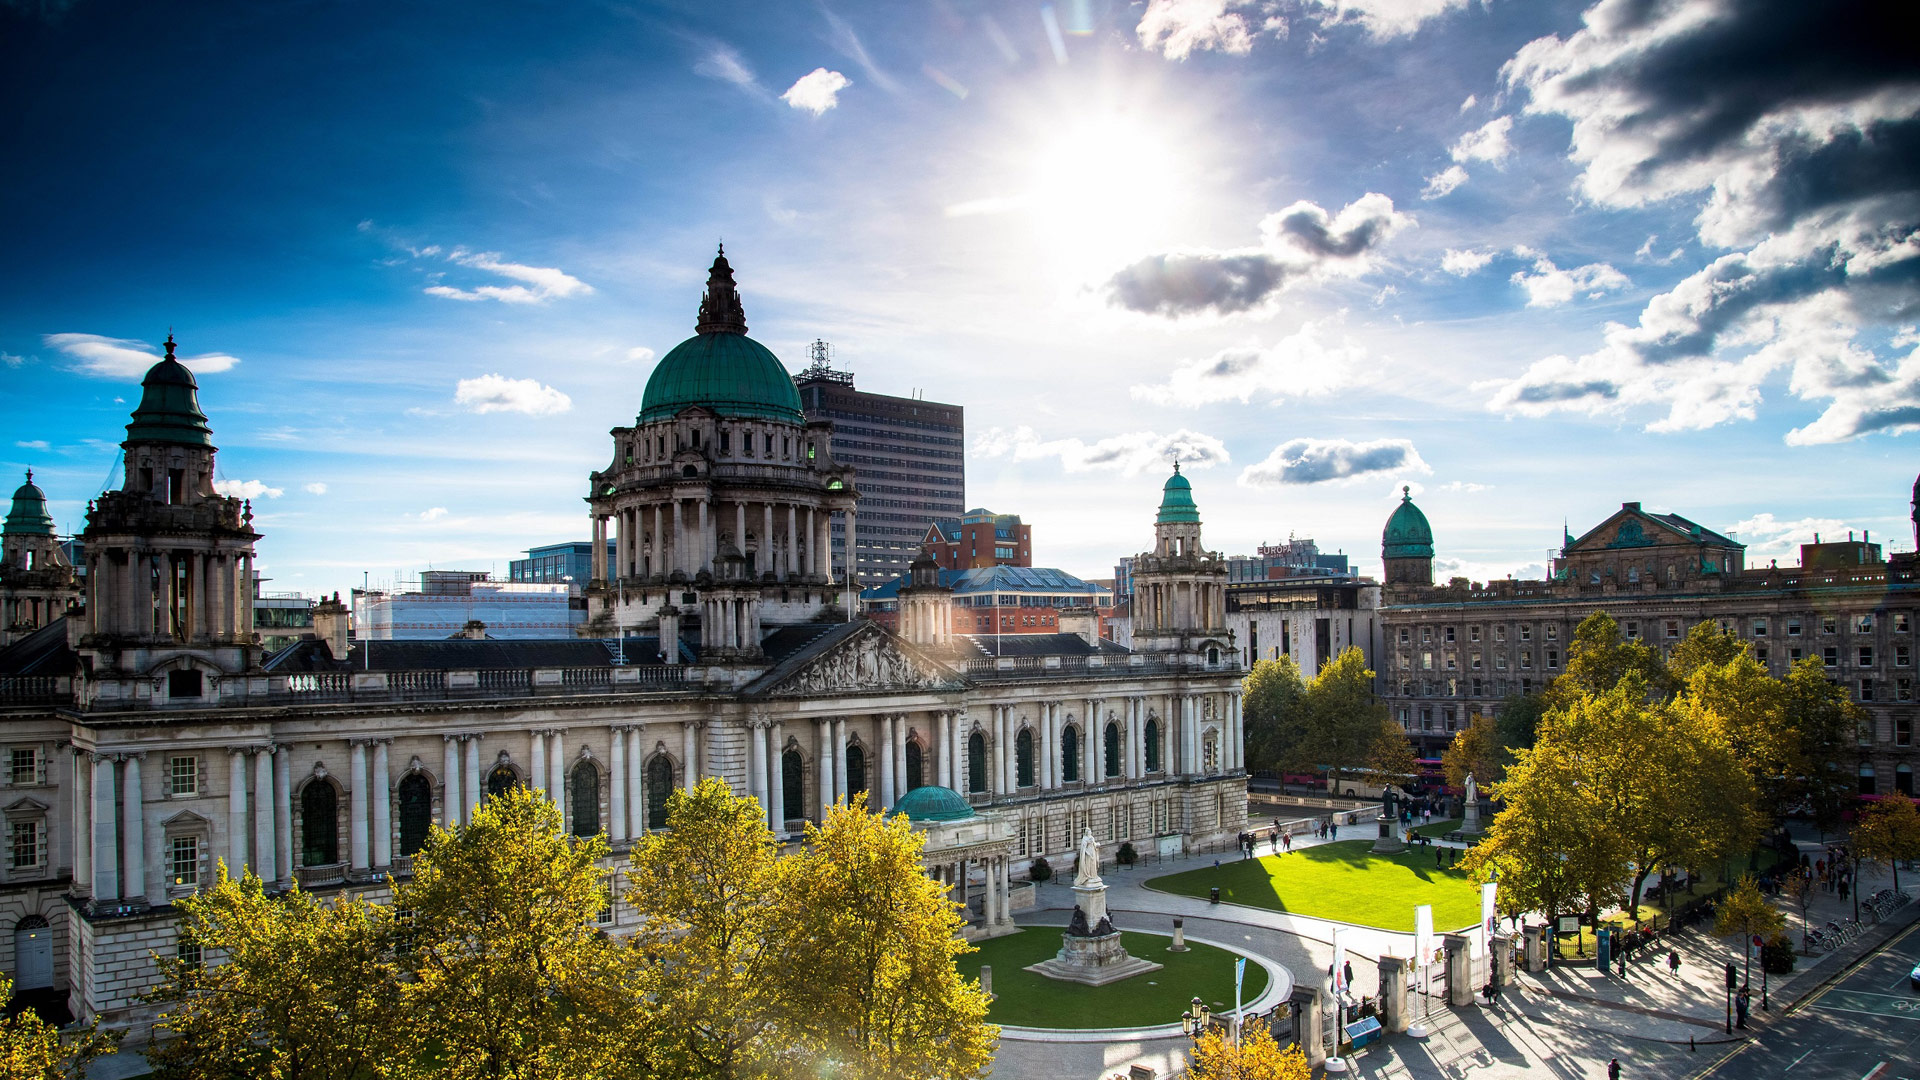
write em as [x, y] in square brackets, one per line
[1297, 366]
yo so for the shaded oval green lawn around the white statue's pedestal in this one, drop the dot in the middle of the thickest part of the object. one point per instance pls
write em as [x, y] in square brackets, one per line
[1155, 998]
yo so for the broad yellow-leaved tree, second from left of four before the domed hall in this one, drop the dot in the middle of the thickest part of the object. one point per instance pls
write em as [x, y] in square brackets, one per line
[504, 971]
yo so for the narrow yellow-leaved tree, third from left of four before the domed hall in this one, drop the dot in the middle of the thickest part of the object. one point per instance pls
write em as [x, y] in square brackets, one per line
[706, 893]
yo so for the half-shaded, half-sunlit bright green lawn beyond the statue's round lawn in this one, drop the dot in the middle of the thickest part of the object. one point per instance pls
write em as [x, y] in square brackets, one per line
[1341, 881]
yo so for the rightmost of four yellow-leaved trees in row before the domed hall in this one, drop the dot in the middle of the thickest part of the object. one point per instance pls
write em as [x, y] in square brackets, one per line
[871, 943]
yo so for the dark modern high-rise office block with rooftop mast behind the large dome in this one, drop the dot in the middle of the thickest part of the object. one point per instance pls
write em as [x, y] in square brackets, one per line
[909, 456]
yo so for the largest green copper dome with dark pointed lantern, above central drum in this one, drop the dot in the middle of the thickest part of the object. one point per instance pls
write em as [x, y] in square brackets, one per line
[721, 368]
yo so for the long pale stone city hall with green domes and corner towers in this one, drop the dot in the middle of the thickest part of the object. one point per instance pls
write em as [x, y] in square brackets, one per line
[153, 739]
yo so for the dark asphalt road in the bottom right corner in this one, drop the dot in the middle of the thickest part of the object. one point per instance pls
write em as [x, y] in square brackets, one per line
[1861, 1027]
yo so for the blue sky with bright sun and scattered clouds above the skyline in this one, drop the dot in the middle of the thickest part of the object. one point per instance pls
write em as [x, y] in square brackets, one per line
[1533, 258]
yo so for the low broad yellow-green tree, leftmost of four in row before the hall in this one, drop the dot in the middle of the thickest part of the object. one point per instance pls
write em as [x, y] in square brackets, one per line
[300, 989]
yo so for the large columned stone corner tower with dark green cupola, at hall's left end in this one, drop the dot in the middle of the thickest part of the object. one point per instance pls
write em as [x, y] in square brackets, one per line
[170, 562]
